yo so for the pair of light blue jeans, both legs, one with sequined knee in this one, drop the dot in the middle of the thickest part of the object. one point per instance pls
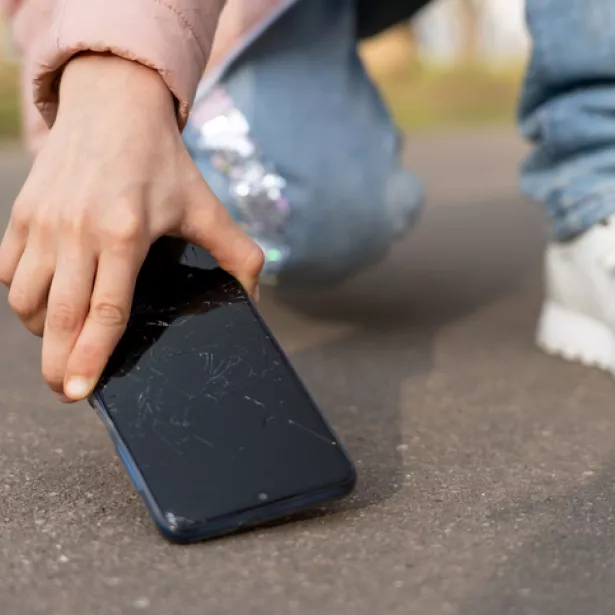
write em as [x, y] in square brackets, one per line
[310, 119]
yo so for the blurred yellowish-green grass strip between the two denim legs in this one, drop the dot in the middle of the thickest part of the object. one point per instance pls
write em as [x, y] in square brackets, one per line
[473, 96]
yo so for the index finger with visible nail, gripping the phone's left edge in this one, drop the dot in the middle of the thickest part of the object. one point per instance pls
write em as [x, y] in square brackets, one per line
[106, 321]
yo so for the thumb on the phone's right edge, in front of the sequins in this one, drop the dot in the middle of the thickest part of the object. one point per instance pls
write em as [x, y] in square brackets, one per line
[209, 225]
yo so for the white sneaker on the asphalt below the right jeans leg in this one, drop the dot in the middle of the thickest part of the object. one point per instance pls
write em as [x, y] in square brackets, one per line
[578, 316]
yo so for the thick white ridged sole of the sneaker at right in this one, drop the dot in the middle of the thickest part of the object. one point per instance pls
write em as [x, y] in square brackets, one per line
[576, 337]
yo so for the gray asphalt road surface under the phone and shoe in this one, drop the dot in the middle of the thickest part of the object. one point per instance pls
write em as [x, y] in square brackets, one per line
[486, 468]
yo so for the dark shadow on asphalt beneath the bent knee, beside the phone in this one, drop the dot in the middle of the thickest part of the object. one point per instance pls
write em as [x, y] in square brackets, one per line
[459, 259]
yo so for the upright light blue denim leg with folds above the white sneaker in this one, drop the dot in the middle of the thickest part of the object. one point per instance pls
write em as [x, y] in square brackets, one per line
[568, 112]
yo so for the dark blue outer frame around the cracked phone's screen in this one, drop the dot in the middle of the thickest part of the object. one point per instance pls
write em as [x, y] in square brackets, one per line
[193, 531]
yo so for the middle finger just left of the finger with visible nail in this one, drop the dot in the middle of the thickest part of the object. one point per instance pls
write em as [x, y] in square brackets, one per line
[67, 309]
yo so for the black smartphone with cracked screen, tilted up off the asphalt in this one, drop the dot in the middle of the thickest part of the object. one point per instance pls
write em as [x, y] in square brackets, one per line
[214, 426]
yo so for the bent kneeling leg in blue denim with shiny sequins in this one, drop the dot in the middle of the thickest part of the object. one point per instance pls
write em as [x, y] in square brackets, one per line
[316, 121]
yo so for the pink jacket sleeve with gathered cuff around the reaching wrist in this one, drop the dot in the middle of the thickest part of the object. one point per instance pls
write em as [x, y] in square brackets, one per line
[173, 37]
